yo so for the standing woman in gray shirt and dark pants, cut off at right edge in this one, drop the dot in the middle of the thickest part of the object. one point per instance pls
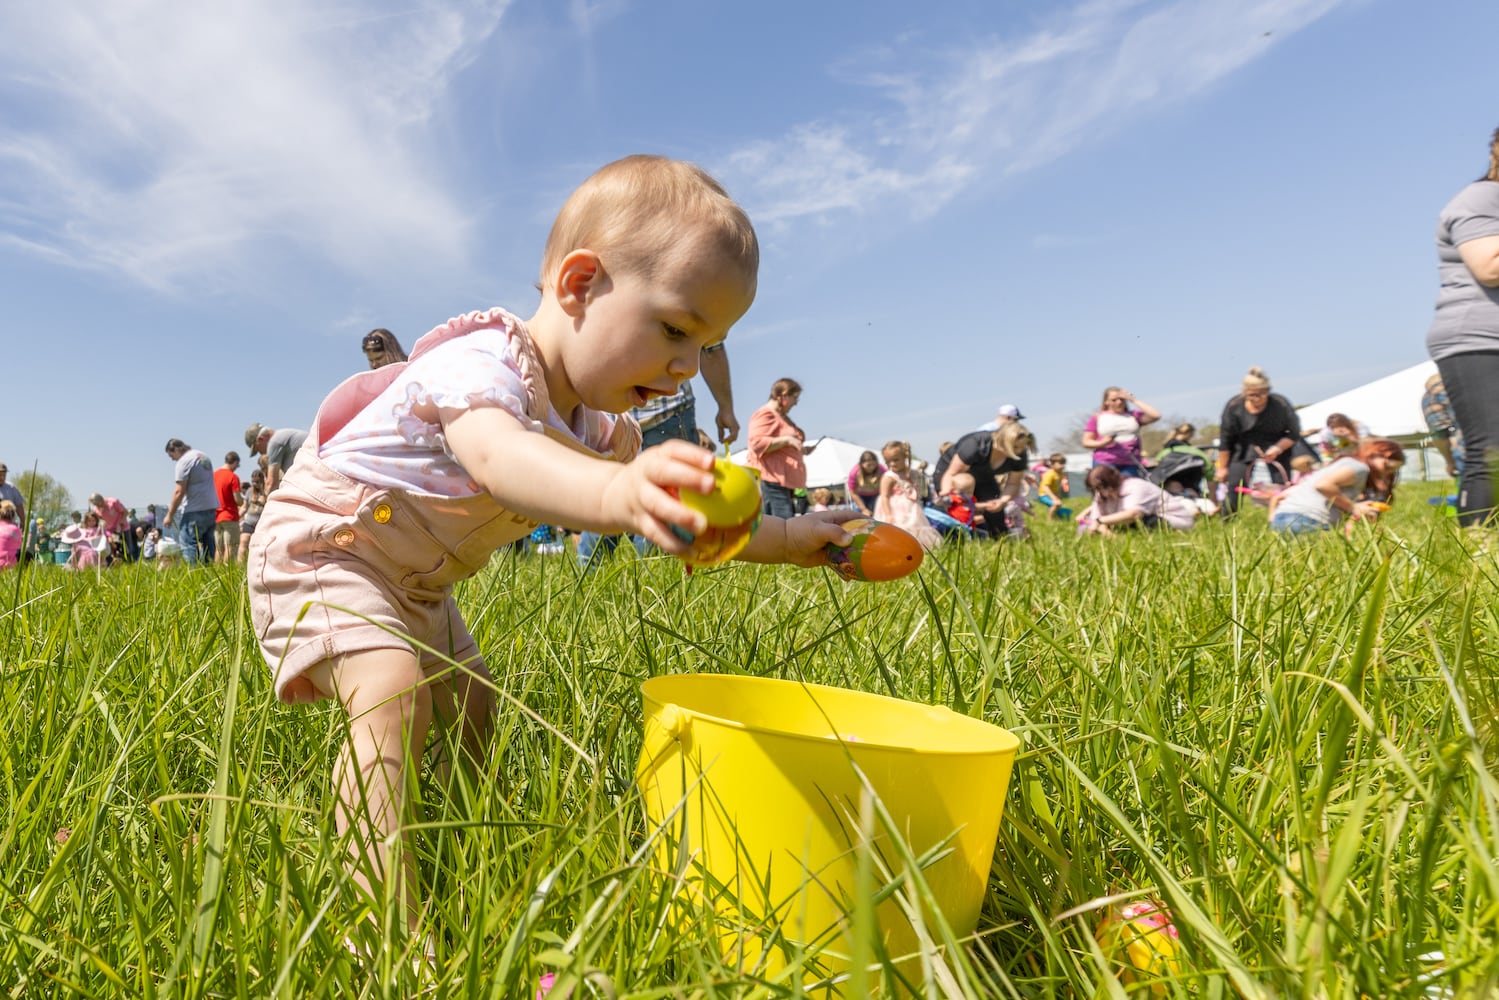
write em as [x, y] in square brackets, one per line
[1465, 334]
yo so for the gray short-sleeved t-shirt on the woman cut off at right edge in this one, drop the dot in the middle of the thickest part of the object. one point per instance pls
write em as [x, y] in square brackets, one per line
[1467, 313]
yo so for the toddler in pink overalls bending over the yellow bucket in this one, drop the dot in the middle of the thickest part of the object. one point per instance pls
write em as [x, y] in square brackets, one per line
[414, 473]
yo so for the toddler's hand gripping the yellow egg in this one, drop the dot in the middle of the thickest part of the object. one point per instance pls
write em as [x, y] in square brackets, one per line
[638, 500]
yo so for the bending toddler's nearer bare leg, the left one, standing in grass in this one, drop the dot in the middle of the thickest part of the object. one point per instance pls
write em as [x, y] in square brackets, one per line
[390, 713]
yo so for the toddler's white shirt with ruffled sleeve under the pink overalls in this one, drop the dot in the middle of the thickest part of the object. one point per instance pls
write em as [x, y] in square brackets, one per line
[389, 448]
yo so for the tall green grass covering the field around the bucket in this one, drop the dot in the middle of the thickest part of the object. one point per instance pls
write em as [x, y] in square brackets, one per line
[1291, 744]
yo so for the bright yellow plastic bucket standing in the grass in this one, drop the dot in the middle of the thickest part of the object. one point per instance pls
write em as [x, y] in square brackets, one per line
[752, 786]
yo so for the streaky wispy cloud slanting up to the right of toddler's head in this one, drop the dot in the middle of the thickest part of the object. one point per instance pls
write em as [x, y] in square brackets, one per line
[951, 118]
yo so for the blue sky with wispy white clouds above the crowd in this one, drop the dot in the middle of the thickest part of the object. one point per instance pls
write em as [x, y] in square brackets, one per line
[203, 208]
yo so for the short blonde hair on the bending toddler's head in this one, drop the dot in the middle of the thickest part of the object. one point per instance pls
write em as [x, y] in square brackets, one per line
[641, 209]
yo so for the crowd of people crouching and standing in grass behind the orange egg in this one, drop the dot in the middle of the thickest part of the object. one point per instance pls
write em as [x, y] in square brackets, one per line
[989, 482]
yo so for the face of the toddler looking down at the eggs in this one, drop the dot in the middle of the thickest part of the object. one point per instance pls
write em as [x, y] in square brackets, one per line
[639, 338]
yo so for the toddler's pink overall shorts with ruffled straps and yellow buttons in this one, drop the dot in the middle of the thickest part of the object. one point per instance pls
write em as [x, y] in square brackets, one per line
[338, 566]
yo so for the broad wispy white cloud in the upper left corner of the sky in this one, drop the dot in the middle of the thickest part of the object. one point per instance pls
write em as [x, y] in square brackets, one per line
[173, 143]
